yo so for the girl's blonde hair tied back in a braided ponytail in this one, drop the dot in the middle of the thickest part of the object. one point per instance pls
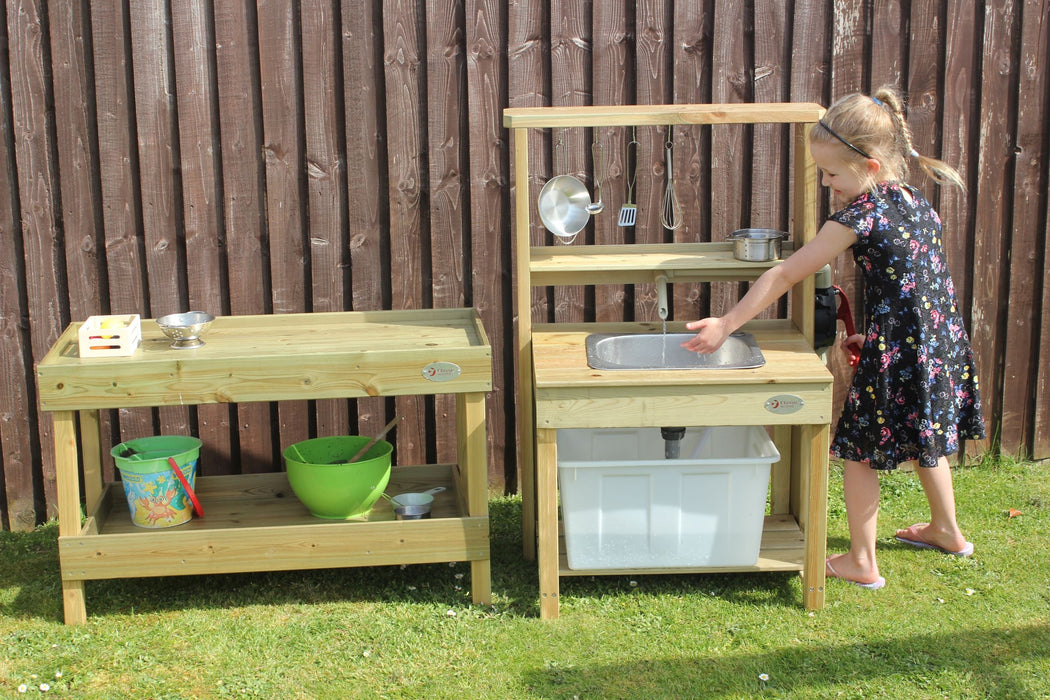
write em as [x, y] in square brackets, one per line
[874, 128]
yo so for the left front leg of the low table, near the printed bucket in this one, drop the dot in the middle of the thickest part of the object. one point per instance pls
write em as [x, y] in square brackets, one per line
[68, 483]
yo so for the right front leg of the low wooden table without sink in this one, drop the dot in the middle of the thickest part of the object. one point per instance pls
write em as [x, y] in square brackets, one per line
[473, 448]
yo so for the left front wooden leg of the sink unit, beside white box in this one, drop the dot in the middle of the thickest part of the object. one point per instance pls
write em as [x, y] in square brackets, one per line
[547, 500]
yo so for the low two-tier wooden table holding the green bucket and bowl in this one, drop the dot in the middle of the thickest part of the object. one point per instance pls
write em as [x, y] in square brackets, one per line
[255, 522]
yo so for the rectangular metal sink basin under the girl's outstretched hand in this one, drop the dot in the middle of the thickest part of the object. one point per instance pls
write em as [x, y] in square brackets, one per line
[619, 351]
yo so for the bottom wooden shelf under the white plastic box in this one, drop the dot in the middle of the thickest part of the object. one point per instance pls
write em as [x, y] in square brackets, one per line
[783, 549]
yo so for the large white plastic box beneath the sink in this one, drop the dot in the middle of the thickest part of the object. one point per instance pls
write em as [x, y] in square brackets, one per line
[625, 506]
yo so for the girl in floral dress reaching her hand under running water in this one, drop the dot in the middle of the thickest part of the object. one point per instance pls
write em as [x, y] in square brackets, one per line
[915, 394]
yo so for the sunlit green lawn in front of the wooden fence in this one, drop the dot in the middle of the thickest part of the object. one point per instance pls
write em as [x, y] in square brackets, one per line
[943, 628]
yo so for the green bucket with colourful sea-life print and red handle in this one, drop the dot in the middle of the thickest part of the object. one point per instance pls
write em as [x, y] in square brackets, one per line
[156, 498]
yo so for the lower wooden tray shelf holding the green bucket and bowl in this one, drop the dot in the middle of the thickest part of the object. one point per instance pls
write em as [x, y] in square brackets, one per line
[256, 523]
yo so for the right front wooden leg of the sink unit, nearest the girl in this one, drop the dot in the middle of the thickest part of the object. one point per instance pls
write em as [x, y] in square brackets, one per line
[815, 441]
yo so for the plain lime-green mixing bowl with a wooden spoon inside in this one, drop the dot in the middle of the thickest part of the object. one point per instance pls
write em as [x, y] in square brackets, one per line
[323, 480]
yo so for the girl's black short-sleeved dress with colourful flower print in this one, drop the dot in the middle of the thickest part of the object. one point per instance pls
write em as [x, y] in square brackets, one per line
[915, 394]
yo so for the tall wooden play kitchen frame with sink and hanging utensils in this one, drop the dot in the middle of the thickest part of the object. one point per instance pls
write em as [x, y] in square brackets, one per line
[792, 393]
